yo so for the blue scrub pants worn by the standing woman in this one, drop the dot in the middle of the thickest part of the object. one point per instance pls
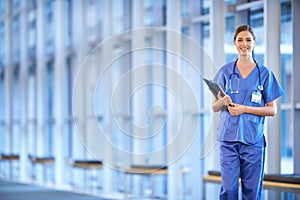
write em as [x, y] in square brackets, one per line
[244, 161]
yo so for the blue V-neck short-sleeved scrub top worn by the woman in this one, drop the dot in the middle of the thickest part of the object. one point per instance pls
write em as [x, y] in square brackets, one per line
[246, 128]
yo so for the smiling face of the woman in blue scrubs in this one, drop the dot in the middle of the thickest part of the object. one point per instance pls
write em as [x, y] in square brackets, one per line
[244, 43]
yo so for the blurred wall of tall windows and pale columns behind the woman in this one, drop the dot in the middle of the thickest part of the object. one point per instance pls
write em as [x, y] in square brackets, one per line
[90, 89]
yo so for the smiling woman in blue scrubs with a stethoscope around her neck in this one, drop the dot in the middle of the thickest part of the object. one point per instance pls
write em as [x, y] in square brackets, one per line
[251, 90]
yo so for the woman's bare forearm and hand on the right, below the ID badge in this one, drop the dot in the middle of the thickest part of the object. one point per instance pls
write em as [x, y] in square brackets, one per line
[270, 109]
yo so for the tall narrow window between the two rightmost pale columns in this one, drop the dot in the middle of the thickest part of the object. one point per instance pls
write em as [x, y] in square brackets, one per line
[286, 51]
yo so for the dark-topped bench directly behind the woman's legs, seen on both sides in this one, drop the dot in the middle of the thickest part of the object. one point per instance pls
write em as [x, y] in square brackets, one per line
[279, 182]
